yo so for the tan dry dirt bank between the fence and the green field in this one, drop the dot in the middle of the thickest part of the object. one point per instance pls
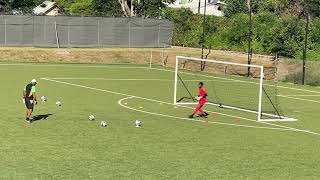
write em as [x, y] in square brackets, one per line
[162, 56]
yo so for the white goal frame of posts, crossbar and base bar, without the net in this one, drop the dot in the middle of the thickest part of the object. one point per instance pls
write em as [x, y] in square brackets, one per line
[259, 112]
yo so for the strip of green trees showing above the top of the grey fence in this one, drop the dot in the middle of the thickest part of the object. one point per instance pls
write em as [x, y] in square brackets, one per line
[115, 8]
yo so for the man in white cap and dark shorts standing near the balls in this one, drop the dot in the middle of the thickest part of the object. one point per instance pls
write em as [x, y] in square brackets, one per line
[30, 99]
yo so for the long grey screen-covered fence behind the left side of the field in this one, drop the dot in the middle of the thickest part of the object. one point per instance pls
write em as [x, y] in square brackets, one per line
[64, 31]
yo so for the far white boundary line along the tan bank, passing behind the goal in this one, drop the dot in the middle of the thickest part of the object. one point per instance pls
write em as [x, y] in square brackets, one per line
[138, 67]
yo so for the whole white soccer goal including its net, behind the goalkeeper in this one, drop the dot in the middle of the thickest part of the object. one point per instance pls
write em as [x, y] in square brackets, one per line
[229, 85]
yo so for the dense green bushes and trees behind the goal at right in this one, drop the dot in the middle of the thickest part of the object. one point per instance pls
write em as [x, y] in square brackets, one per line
[278, 27]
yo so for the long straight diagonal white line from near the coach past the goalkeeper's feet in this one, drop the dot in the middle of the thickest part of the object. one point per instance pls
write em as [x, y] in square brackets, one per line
[112, 92]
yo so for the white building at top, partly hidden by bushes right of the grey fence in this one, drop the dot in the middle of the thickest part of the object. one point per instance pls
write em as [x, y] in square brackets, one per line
[214, 7]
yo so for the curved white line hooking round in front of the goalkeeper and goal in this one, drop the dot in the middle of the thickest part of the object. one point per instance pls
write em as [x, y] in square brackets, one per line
[196, 120]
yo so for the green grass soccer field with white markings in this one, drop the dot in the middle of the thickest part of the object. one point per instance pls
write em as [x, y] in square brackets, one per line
[229, 144]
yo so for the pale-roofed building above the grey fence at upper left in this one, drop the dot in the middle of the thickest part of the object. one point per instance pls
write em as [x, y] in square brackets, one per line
[47, 8]
